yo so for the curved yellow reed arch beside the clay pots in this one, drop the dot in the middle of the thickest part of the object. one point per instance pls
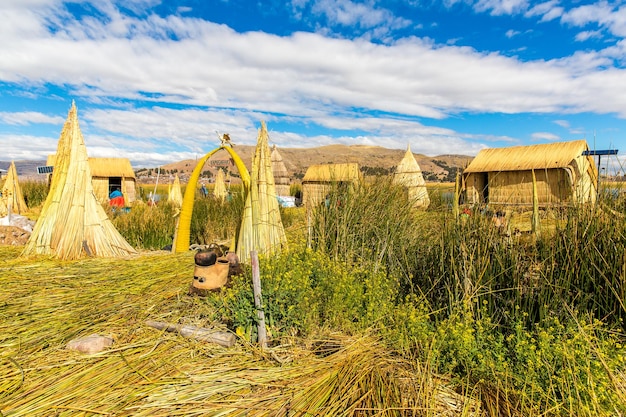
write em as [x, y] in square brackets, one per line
[183, 232]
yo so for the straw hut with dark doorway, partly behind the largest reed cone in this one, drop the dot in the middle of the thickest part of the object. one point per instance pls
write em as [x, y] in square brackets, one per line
[108, 174]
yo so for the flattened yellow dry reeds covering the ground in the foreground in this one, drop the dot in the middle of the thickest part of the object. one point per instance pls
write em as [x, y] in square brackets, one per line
[45, 303]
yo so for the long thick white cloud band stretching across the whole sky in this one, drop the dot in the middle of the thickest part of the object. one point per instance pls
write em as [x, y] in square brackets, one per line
[300, 75]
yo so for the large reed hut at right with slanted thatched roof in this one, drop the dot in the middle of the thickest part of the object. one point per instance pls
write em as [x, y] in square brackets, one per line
[503, 176]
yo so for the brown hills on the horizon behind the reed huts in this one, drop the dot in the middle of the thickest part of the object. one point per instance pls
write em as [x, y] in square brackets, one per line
[371, 159]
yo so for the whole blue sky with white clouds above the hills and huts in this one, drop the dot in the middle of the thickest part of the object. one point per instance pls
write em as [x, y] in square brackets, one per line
[154, 80]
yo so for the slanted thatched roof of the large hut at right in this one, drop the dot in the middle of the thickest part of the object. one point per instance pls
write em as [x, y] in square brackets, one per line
[523, 158]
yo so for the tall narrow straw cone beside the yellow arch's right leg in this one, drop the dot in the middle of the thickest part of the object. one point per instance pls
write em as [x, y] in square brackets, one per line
[262, 227]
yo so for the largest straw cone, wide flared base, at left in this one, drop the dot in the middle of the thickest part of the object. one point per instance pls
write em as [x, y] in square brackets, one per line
[72, 222]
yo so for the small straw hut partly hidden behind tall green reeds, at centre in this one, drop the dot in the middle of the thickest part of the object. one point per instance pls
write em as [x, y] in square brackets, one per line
[319, 180]
